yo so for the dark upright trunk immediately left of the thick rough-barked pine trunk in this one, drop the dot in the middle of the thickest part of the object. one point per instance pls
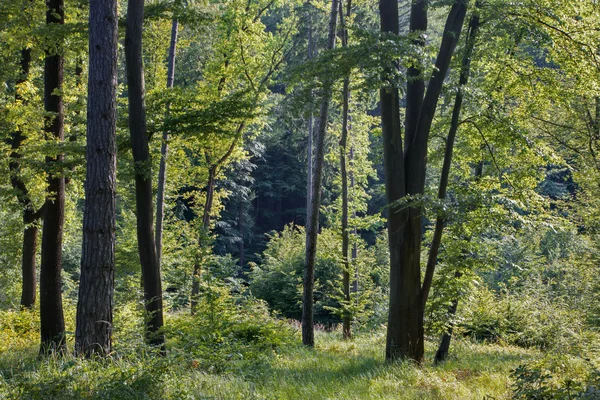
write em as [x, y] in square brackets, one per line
[52, 323]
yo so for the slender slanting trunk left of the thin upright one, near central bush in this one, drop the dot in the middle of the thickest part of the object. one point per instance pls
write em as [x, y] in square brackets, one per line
[308, 334]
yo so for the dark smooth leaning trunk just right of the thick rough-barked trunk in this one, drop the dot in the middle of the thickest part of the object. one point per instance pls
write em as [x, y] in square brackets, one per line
[143, 176]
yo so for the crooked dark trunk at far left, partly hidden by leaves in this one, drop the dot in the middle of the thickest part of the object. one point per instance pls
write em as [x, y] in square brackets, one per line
[30, 216]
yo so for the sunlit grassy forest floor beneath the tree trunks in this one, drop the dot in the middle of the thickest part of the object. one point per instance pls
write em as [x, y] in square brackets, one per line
[335, 369]
